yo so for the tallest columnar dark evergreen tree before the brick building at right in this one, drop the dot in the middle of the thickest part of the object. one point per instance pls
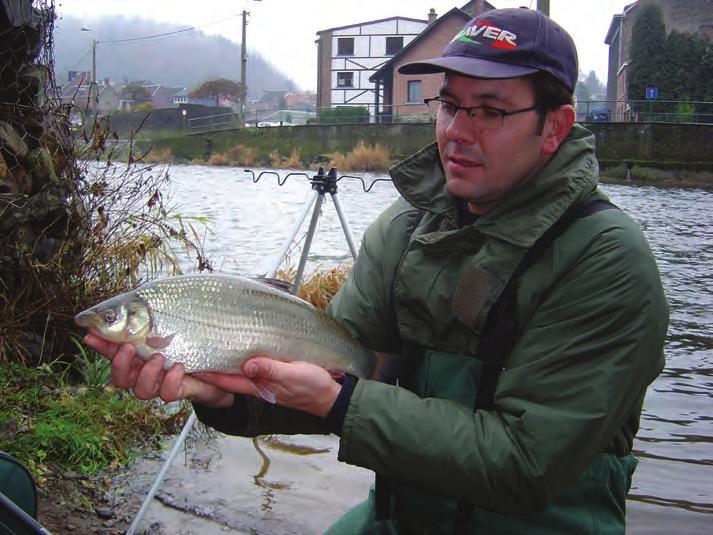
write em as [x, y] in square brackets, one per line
[647, 65]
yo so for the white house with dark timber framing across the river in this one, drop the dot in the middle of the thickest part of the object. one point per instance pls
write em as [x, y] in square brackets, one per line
[348, 55]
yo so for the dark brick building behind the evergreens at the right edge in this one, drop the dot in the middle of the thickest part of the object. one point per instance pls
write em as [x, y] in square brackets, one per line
[693, 16]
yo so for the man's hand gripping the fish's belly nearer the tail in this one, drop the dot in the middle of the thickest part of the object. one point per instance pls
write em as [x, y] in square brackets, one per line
[297, 385]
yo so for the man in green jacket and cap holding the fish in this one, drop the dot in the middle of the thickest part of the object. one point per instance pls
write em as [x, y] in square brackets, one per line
[528, 312]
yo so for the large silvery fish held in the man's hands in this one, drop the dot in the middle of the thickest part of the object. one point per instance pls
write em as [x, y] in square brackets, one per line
[213, 323]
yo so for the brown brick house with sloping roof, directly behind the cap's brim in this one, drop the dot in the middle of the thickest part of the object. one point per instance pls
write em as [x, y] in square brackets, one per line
[402, 95]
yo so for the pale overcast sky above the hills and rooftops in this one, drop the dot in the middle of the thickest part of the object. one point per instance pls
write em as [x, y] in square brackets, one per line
[284, 31]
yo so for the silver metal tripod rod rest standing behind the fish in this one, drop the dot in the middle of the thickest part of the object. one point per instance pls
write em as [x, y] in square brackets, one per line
[321, 185]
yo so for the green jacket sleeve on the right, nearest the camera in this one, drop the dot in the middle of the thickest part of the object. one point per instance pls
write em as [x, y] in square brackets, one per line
[579, 369]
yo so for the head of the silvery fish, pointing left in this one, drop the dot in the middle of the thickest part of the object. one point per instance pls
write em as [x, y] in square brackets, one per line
[121, 319]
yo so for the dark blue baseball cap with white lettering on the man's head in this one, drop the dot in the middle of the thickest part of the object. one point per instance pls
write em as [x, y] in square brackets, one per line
[506, 43]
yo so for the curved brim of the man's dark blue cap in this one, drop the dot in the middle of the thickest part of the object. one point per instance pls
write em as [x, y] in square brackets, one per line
[468, 66]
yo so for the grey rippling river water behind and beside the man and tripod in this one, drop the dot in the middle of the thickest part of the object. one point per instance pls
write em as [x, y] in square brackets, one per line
[302, 488]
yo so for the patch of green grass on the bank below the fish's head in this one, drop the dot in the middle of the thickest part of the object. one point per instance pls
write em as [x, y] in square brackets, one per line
[52, 425]
